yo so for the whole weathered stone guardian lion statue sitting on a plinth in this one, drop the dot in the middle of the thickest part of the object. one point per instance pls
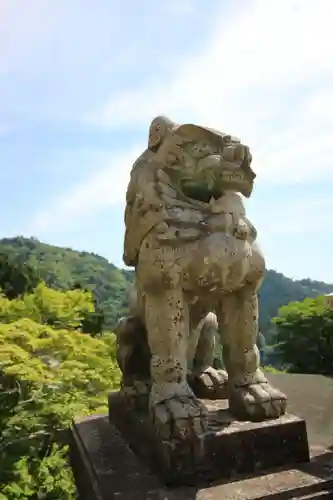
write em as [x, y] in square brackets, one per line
[196, 262]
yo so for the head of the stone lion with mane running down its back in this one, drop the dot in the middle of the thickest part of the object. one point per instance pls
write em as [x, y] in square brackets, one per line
[185, 166]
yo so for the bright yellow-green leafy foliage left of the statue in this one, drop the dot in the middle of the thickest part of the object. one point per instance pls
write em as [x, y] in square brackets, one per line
[49, 373]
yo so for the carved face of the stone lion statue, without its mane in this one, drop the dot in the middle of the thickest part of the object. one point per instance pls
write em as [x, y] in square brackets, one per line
[206, 162]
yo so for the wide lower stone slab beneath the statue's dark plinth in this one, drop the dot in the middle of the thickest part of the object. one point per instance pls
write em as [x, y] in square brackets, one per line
[106, 468]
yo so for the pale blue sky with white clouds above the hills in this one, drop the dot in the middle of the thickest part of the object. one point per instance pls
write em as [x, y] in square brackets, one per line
[80, 82]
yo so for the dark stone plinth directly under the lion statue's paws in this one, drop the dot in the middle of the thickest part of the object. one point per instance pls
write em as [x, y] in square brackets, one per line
[229, 448]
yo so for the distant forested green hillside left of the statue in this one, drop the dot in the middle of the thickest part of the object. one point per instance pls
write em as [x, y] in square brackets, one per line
[64, 269]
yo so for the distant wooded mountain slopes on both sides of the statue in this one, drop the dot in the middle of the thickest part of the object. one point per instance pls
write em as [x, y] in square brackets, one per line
[62, 267]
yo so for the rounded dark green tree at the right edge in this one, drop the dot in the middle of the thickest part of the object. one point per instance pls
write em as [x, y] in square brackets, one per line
[304, 336]
